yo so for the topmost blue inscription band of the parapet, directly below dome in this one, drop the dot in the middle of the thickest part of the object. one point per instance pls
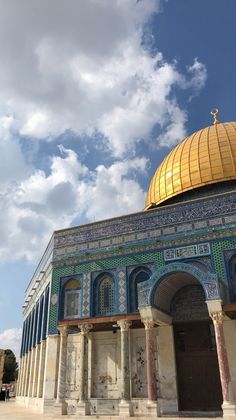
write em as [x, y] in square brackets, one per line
[210, 208]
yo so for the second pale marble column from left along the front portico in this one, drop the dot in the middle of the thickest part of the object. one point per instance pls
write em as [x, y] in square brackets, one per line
[83, 406]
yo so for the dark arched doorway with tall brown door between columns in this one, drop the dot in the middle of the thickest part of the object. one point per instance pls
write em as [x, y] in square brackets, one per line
[182, 296]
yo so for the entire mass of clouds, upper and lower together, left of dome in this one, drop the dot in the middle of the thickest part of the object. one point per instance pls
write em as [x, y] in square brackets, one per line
[82, 67]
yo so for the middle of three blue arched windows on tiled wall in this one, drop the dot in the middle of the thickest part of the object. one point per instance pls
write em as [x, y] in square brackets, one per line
[105, 295]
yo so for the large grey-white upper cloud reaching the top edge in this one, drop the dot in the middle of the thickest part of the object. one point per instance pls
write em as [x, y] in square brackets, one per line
[84, 68]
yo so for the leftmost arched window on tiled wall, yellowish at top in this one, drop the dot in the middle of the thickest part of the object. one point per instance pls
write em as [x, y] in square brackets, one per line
[71, 299]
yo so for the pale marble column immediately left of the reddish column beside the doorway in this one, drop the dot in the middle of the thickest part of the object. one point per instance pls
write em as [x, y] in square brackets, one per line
[125, 405]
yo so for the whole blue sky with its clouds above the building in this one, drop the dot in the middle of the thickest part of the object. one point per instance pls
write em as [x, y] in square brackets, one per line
[93, 94]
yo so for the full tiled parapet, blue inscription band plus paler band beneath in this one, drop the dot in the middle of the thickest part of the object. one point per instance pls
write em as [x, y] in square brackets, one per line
[215, 211]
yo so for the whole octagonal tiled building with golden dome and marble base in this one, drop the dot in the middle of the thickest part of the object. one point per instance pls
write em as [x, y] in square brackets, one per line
[136, 315]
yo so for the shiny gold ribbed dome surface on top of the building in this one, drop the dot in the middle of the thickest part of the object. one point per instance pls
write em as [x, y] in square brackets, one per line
[206, 157]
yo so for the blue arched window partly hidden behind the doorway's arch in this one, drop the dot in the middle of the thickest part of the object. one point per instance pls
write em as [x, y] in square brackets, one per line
[138, 275]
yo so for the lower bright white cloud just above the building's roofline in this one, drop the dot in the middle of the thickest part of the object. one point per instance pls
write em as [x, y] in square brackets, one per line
[42, 203]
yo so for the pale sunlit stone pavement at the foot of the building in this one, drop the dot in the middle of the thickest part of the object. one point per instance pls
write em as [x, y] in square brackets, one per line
[12, 411]
